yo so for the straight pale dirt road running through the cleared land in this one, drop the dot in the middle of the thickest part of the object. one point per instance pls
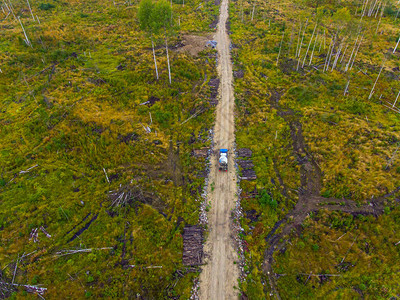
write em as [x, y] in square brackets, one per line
[220, 274]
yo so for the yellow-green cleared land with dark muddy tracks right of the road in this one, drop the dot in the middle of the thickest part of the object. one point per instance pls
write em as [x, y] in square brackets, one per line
[317, 84]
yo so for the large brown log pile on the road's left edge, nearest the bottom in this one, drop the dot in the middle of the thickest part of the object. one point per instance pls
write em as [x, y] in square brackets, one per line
[192, 245]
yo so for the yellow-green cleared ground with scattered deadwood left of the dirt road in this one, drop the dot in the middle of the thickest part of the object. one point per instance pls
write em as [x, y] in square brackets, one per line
[97, 176]
